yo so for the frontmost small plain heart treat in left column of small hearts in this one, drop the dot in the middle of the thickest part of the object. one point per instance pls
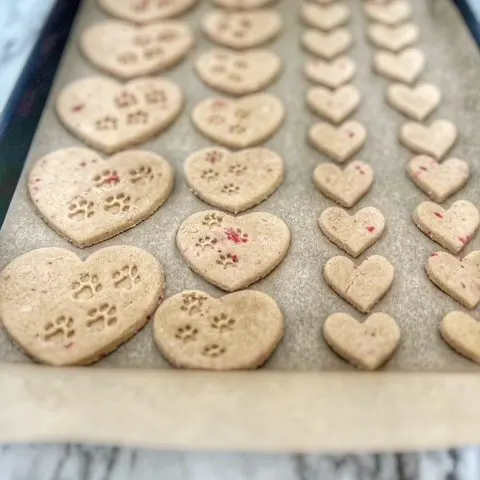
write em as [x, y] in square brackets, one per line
[366, 345]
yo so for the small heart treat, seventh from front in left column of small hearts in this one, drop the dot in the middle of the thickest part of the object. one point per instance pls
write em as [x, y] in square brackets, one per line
[331, 74]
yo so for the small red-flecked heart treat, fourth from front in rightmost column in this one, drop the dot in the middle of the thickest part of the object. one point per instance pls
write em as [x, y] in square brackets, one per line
[438, 181]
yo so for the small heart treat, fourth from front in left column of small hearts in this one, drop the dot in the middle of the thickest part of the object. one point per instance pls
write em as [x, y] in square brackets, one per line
[347, 186]
